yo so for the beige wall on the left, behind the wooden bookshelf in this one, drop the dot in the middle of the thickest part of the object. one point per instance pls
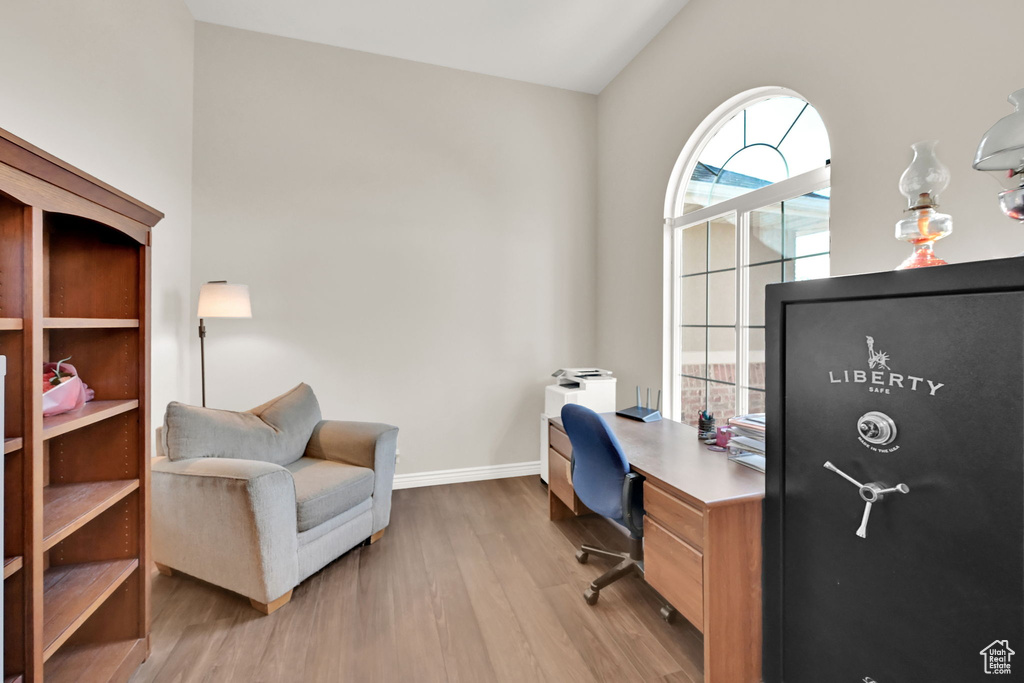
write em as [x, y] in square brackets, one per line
[107, 87]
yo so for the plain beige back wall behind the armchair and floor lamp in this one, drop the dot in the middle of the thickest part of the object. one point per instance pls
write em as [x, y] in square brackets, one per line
[418, 240]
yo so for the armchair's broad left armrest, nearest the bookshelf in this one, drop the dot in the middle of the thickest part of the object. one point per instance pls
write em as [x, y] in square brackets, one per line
[229, 522]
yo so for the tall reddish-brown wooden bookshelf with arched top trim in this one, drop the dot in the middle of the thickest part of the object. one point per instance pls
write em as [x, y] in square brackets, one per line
[75, 269]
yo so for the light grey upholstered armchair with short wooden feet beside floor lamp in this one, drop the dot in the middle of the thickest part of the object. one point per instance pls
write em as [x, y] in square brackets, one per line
[258, 502]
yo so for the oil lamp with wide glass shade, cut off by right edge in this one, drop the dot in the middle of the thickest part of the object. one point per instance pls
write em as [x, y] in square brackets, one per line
[1002, 151]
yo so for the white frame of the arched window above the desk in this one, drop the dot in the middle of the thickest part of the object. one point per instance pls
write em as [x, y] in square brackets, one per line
[740, 208]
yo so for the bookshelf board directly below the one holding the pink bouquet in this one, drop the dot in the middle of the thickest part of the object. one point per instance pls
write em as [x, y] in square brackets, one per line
[68, 507]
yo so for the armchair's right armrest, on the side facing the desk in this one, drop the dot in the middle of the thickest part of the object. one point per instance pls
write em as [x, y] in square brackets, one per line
[366, 445]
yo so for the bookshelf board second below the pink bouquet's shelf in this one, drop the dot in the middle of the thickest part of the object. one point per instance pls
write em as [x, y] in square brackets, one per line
[73, 592]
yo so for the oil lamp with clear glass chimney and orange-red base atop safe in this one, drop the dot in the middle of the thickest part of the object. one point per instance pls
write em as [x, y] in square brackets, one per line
[922, 183]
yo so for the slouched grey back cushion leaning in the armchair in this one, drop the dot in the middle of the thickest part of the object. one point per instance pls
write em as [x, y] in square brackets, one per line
[275, 433]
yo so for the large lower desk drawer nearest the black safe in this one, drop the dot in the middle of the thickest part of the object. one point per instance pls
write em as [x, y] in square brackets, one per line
[675, 570]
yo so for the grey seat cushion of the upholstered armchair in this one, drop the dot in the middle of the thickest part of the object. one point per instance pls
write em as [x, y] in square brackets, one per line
[325, 489]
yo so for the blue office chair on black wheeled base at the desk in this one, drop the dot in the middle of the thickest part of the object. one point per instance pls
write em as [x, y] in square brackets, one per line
[604, 482]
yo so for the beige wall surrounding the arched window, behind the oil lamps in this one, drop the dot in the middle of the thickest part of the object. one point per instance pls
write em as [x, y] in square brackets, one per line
[882, 74]
